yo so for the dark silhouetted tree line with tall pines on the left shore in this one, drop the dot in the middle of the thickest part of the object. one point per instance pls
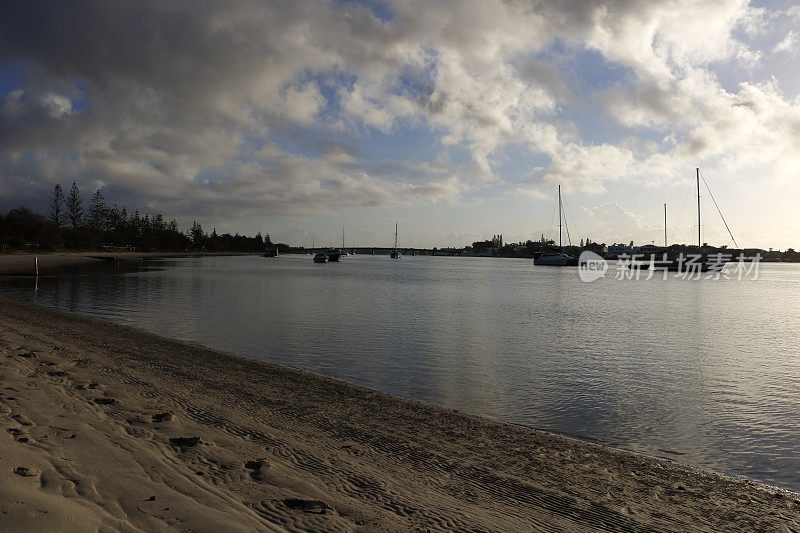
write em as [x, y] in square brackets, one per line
[70, 225]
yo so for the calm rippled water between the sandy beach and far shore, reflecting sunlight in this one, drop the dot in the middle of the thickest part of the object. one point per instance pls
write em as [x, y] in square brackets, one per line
[705, 372]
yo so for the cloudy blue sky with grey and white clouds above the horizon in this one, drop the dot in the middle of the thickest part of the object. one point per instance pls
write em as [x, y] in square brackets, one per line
[457, 120]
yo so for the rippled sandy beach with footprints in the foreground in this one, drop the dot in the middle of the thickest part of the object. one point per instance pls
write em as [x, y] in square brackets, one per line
[107, 428]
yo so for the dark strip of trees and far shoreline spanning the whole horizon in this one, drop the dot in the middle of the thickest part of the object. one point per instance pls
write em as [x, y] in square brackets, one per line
[104, 227]
